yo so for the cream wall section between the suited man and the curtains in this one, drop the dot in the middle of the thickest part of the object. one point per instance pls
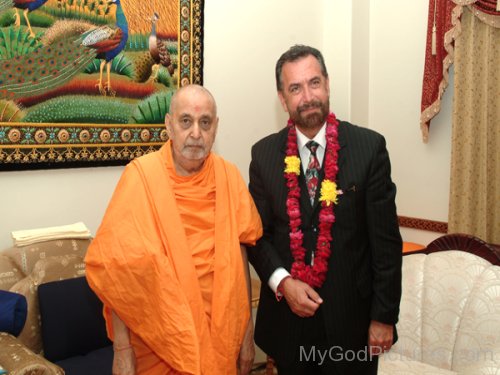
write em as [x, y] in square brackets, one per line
[421, 171]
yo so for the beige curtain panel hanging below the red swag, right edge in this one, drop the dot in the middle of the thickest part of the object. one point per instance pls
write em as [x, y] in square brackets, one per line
[475, 161]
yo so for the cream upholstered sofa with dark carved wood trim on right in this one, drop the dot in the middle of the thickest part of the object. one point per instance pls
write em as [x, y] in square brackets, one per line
[449, 320]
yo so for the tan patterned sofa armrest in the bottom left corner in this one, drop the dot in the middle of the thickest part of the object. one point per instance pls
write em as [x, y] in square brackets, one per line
[19, 360]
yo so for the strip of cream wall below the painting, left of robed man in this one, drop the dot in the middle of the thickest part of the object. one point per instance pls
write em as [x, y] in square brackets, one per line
[45, 198]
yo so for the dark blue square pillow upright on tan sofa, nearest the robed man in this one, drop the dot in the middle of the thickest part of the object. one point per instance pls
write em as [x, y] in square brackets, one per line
[71, 319]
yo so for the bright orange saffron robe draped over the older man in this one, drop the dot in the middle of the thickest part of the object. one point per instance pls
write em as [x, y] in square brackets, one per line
[140, 265]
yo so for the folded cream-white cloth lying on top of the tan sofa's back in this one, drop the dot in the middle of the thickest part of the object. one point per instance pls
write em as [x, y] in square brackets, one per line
[31, 236]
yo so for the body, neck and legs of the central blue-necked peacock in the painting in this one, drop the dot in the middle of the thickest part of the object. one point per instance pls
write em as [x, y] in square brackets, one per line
[108, 41]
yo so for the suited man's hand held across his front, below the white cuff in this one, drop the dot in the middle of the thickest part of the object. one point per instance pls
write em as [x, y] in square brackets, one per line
[302, 299]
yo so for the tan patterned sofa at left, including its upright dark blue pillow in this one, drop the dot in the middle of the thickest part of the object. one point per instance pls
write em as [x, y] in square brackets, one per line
[61, 307]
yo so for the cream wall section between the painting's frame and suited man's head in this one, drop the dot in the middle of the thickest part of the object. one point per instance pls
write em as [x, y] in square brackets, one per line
[243, 40]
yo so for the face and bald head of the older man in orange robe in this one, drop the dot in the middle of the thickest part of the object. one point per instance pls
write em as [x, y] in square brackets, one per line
[192, 127]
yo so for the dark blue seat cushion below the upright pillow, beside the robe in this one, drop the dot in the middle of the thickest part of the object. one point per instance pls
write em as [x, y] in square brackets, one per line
[97, 362]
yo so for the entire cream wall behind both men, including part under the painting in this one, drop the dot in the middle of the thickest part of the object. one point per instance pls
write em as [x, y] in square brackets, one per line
[374, 52]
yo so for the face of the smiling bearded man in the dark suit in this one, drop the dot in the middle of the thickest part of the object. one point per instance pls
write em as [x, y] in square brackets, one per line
[305, 93]
